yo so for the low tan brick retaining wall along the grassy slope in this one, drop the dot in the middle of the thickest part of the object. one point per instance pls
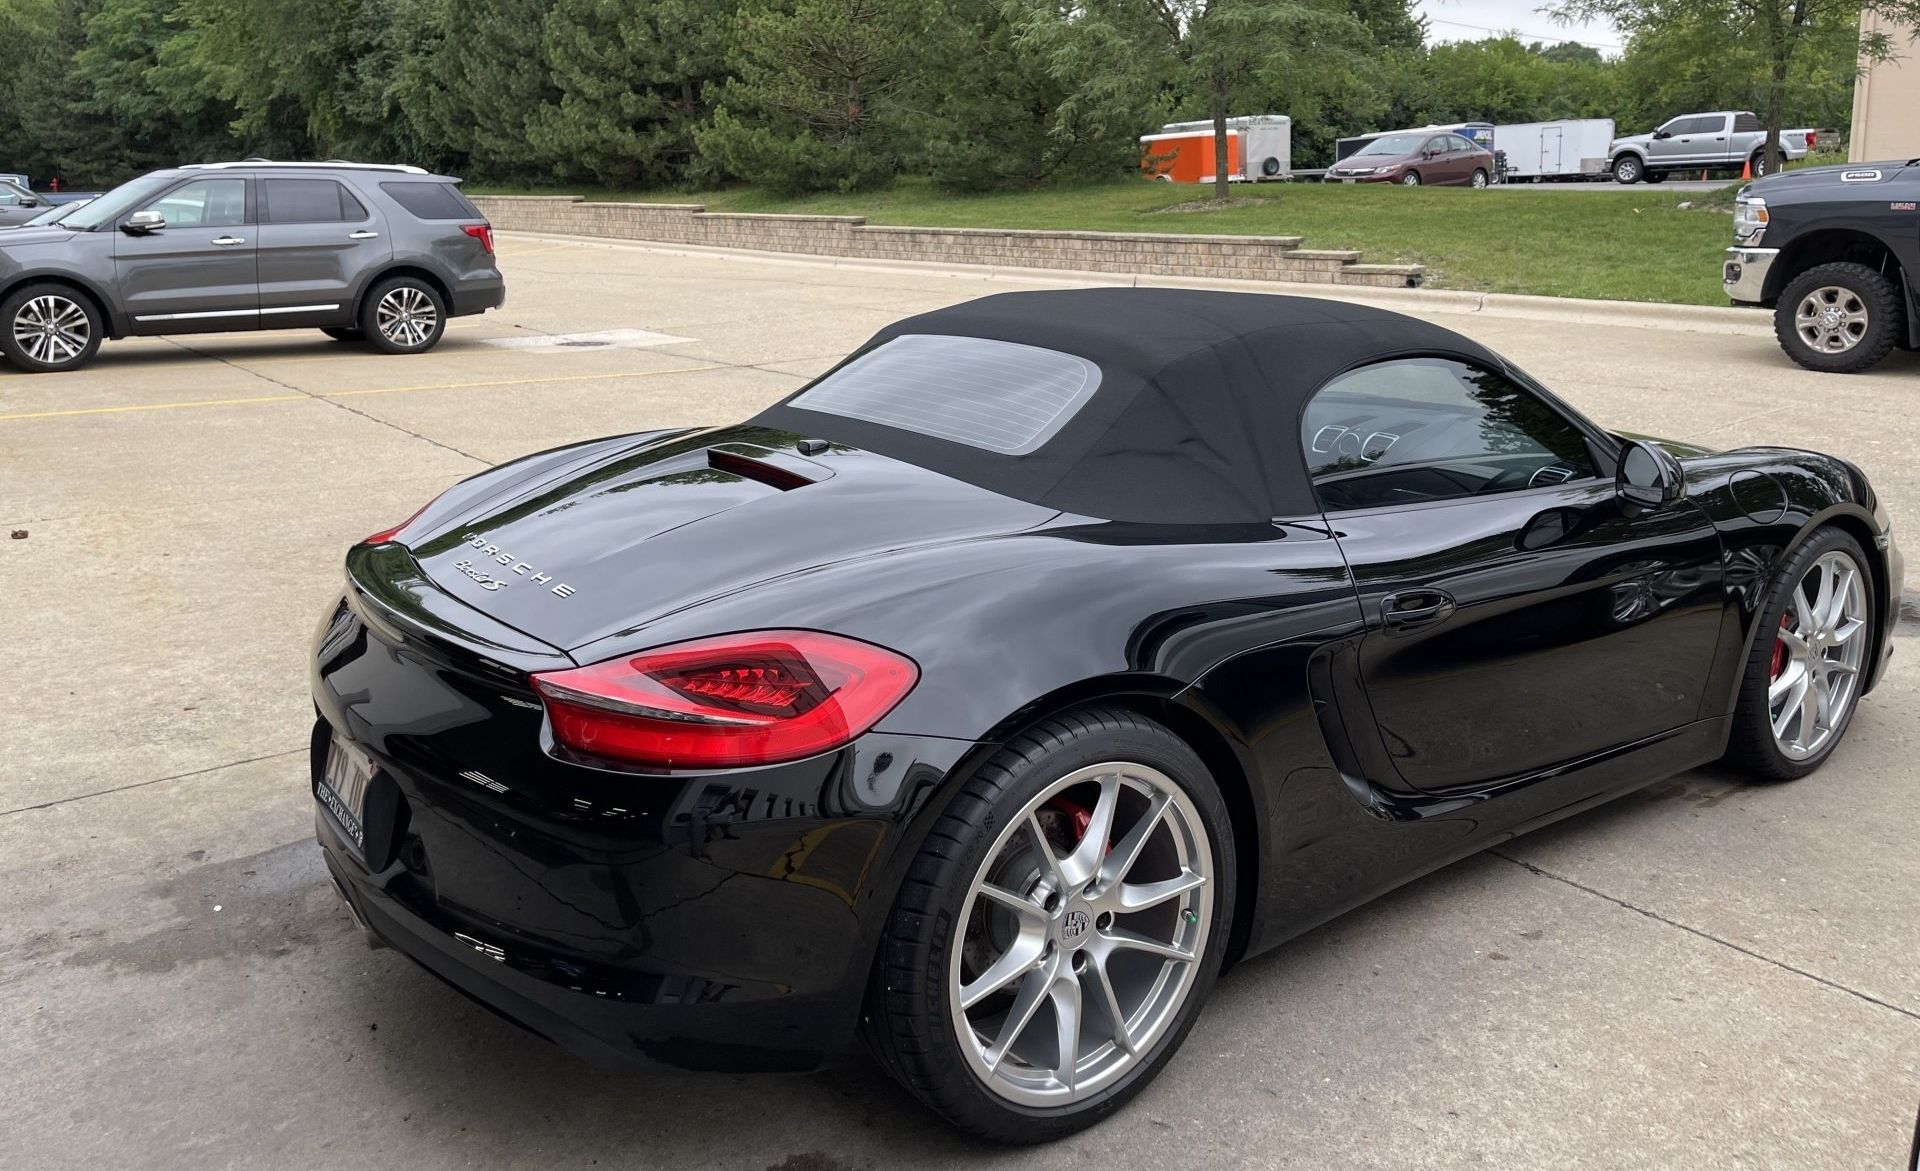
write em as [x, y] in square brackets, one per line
[1243, 258]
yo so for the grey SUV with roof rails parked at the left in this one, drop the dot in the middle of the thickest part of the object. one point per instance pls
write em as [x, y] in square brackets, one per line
[362, 252]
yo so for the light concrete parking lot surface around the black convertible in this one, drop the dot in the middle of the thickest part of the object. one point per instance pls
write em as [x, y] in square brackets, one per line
[1698, 976]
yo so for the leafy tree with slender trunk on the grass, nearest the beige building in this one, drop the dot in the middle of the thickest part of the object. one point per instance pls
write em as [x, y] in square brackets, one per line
[1777, 30]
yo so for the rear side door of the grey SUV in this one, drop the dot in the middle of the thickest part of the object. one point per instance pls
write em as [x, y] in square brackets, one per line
[318, 243]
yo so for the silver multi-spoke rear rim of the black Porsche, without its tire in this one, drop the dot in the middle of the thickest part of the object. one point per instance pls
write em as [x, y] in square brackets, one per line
[1082, 936]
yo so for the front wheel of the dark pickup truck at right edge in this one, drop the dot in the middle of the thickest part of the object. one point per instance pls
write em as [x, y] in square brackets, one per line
[1838, 320]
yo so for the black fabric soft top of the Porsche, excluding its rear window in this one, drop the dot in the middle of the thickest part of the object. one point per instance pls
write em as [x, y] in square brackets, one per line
[1197, 418]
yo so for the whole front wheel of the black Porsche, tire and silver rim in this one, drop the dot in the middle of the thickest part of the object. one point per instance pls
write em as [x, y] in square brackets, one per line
[1808, 663]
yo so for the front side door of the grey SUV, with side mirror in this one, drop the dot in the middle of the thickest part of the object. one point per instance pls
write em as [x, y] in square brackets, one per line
[197, 272]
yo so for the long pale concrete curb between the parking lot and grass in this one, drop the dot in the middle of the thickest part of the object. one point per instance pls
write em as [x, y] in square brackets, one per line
[1652, 316]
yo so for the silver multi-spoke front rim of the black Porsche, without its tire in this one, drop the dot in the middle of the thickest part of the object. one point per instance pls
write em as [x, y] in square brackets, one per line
[1817, 656]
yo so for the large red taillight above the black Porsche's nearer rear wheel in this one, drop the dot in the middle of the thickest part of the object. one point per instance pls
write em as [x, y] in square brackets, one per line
[727, 702]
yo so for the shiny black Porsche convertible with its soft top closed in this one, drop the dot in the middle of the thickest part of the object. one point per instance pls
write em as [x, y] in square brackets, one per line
[1055, 652]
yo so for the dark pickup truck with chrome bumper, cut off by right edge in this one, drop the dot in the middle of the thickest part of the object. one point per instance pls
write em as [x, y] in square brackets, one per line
[1835, 252]
